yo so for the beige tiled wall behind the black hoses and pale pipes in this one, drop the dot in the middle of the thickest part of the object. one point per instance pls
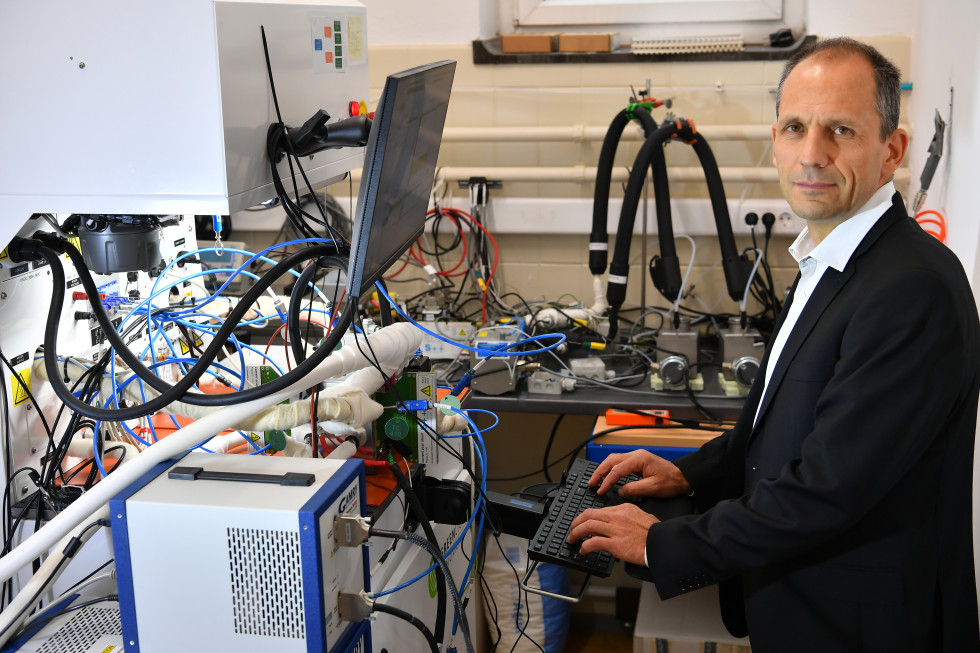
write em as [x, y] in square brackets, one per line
[546, 266]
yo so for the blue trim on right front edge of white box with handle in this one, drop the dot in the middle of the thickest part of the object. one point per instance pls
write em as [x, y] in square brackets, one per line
[310, 553]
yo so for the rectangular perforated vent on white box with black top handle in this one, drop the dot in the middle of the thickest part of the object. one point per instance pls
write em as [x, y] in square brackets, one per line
[266, 583]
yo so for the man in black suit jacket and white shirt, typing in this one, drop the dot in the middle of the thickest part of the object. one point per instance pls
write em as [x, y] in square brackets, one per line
[836, 515]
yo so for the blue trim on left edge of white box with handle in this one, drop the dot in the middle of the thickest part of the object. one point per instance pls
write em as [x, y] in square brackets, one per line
[123, 554]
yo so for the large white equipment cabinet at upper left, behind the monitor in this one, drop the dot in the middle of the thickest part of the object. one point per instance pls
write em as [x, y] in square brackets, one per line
[163, 106]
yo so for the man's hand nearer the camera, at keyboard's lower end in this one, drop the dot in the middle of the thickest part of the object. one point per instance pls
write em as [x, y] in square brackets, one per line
[621, 530]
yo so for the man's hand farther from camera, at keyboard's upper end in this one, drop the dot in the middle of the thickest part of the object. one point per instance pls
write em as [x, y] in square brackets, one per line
[661, 478]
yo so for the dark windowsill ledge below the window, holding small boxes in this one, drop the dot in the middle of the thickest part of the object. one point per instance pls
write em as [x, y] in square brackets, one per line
[487, 51]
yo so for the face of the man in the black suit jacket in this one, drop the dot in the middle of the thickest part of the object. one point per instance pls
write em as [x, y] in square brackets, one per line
[827, 143]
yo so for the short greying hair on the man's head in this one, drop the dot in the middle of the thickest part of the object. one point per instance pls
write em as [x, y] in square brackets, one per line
[887, 76]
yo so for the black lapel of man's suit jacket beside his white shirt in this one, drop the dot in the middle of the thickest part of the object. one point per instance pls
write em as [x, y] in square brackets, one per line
[828, 287]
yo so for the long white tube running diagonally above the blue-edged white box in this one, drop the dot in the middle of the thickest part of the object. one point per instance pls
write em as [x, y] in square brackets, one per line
[393, 346]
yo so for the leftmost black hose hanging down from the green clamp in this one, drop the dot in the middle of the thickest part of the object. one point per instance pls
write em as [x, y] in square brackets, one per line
[599, 238]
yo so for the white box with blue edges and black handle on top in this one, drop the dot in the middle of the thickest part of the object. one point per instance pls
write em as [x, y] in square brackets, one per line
[215, 553]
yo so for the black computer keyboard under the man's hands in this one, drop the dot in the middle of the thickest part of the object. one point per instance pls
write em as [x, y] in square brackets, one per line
[549, 543]
